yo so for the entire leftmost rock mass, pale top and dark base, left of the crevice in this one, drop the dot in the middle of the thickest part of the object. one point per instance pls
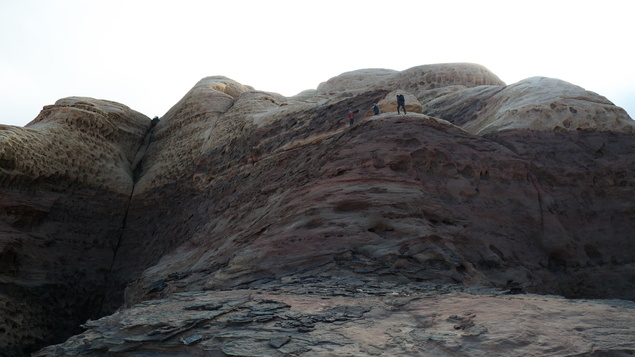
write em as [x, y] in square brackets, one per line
[66, 182]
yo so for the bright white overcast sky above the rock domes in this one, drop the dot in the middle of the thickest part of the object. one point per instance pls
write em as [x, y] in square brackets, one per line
[148, 54]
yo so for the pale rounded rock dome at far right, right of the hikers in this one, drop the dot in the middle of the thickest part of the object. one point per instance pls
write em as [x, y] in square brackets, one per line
[538, 103]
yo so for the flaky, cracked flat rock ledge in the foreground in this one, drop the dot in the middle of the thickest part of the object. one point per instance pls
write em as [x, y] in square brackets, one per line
[359, 317]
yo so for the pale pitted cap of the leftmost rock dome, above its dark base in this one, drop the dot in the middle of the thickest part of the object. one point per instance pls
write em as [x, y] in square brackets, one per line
[92, 142]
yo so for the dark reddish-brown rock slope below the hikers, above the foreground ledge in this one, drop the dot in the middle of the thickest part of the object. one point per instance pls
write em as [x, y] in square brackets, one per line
[409, 195]
